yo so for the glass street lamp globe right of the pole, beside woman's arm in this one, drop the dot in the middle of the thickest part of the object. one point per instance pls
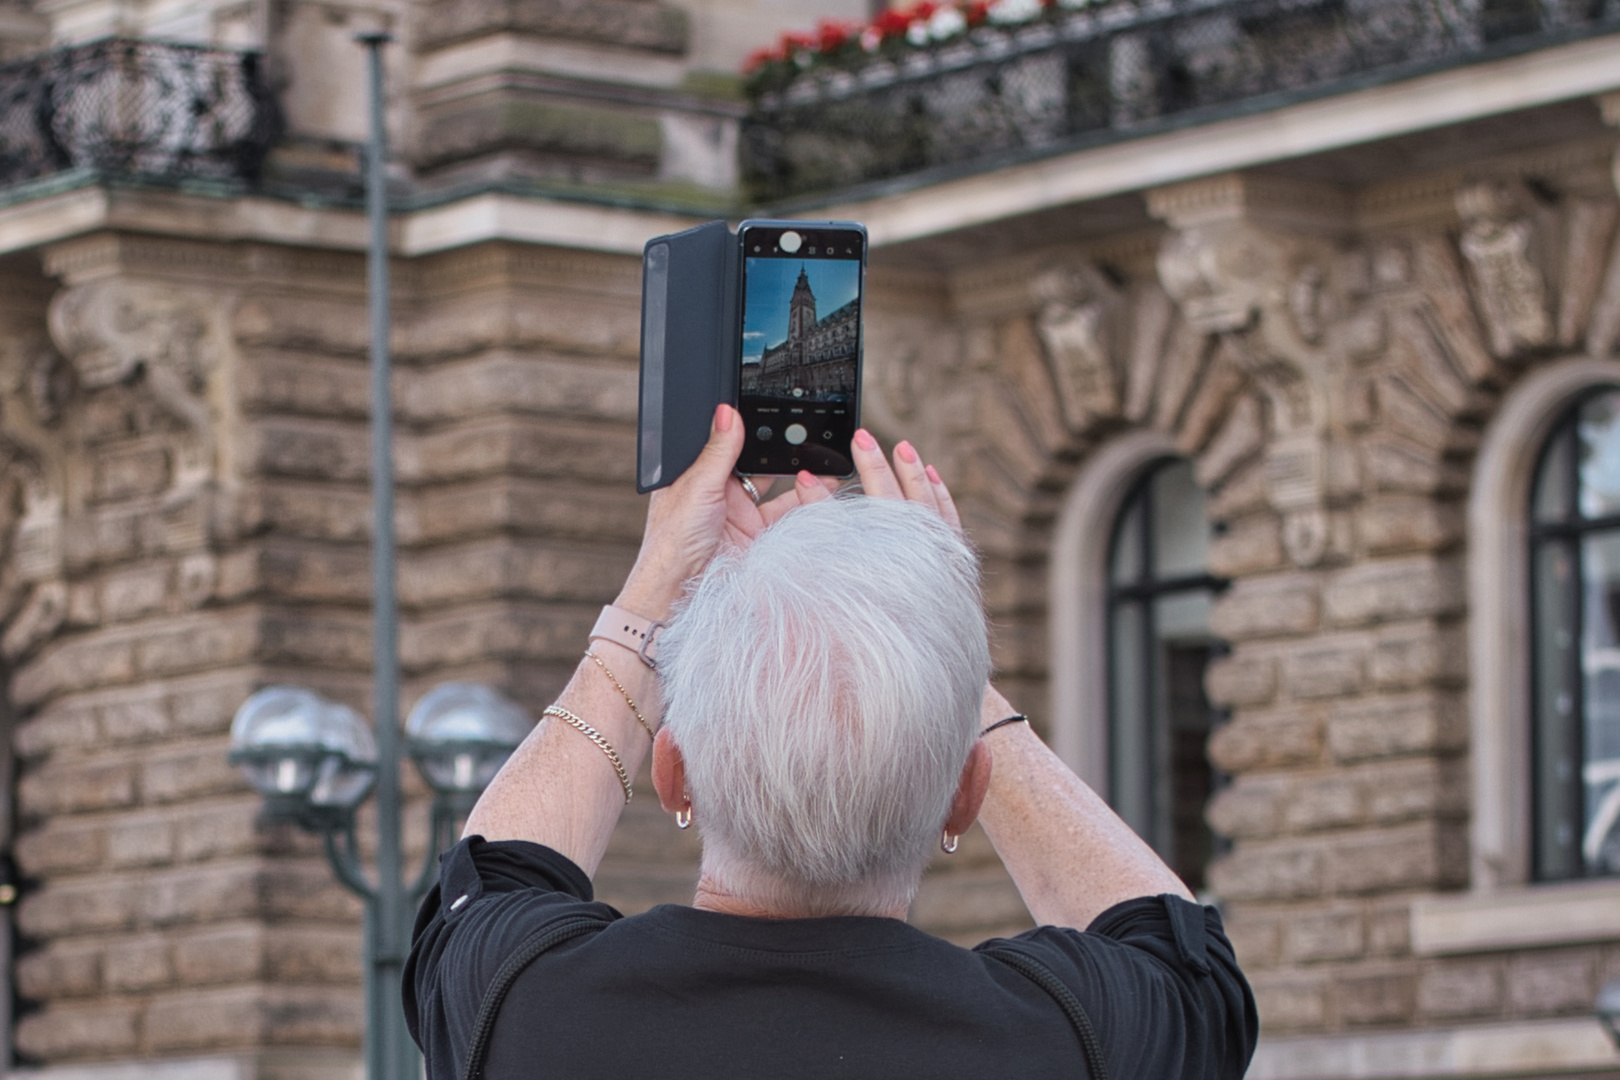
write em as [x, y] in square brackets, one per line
[461, 734]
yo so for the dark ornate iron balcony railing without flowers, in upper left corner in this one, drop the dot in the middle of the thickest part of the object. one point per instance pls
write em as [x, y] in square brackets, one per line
[137, 109]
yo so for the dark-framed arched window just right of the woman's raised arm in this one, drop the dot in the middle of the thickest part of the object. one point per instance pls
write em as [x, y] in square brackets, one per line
[1159, 595]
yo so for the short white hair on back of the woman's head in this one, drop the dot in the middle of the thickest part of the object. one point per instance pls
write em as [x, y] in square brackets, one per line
[824, 689]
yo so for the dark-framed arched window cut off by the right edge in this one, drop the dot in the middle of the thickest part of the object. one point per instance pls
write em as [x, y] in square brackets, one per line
[1575, 644]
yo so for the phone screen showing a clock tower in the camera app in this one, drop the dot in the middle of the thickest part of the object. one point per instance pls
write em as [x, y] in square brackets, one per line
[799, 388]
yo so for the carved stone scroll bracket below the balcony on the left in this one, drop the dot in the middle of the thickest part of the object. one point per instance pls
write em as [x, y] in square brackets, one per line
[117, 333]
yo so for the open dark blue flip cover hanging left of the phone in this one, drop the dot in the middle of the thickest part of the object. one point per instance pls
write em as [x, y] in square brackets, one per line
[691, 347]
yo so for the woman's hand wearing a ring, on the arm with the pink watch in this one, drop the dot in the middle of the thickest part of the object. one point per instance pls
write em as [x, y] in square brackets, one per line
[706, 509]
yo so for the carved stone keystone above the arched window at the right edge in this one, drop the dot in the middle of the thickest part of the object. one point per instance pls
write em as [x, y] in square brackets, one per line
[1498, 242]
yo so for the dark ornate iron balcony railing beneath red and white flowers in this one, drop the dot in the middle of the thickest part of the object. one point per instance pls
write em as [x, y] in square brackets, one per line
[1111, 70]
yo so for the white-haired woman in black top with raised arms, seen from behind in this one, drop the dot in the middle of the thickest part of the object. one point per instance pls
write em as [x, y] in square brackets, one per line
[822, 712]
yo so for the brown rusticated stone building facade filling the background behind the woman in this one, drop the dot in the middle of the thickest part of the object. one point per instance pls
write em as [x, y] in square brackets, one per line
[1358, 320]
